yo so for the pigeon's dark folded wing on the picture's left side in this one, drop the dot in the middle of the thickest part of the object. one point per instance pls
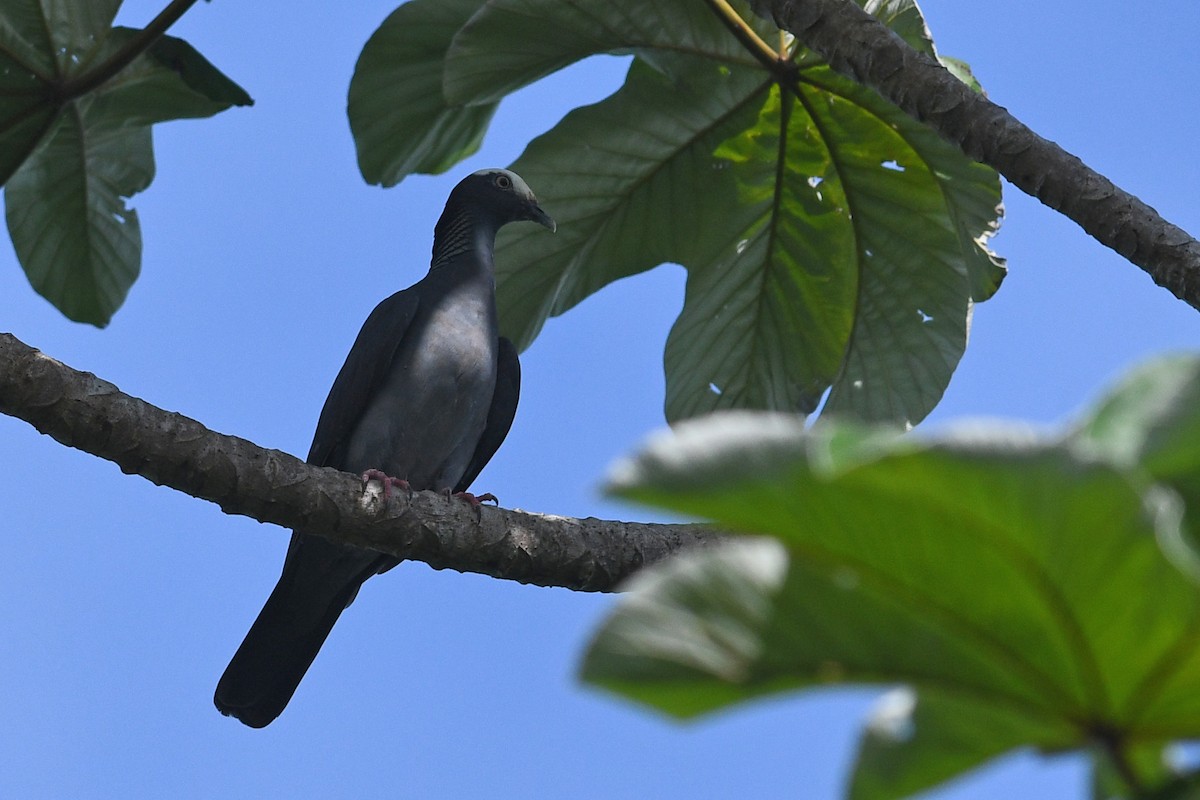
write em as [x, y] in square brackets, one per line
[364, 372]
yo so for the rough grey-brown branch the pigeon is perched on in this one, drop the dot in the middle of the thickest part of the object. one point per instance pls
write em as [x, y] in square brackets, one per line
[83, 412]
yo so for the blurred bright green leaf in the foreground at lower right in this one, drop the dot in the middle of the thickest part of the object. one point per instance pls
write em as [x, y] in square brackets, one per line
[1001, 575]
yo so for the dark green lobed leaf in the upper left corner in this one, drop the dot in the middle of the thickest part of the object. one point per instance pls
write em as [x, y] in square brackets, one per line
[70, 164]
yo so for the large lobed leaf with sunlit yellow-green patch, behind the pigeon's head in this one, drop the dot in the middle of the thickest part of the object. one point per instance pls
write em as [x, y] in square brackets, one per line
[831, 242]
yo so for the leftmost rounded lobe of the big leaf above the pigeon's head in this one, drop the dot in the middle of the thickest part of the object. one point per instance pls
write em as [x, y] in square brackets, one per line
[400, 121]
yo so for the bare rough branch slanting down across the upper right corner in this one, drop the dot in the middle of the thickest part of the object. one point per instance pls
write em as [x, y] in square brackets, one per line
[857, 45]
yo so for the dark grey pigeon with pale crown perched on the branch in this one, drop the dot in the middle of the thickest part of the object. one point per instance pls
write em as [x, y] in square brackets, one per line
[425, 399]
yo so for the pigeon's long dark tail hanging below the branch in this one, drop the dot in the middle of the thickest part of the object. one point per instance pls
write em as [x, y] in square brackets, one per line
[320, 580]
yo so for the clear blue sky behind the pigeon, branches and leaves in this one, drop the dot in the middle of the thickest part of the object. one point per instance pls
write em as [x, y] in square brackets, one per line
[265, 251]
